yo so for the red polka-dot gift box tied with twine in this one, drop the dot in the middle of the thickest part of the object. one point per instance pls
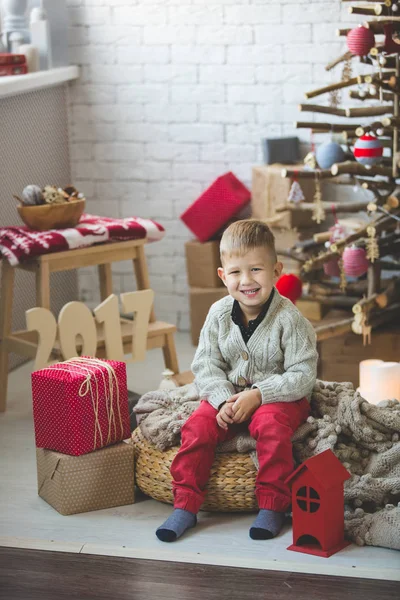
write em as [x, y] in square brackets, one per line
[80, 405]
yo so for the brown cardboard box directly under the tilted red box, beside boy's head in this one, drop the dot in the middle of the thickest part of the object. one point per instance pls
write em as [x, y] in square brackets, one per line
[202, 262]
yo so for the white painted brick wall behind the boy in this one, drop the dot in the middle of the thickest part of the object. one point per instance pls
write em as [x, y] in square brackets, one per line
[174, 93]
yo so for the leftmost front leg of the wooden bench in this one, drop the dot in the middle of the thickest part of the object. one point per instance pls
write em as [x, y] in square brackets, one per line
[6, 302]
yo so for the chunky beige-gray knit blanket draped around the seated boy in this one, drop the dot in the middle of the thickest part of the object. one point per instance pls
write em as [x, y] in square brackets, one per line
[364, 437]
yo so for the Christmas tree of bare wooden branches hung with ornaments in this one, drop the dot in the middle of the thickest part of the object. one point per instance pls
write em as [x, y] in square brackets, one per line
[353, 264]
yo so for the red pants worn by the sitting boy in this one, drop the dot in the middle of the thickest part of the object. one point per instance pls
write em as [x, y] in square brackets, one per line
[272, 426]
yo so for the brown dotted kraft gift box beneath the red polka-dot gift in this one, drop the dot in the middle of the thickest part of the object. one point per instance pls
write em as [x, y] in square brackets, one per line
[76, 484]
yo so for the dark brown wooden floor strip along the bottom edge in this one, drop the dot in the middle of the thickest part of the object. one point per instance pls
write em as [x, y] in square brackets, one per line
[39, 575]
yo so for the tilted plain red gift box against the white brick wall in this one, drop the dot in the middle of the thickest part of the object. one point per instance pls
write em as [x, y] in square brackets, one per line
[219, 203]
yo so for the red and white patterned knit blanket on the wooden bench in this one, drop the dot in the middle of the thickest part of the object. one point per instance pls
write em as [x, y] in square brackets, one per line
[20, 243]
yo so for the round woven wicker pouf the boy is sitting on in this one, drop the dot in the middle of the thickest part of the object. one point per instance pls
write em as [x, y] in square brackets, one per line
[230, 488]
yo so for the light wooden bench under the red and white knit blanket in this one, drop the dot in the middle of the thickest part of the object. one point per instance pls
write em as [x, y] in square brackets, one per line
[160, 334]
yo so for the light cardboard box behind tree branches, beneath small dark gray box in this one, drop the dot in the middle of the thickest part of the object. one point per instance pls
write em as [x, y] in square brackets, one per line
[270, 189]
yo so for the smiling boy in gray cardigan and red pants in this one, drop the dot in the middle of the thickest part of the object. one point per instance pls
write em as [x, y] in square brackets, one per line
[254, 367]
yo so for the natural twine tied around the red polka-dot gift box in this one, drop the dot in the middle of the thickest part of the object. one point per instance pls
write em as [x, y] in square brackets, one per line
[89, 366]
